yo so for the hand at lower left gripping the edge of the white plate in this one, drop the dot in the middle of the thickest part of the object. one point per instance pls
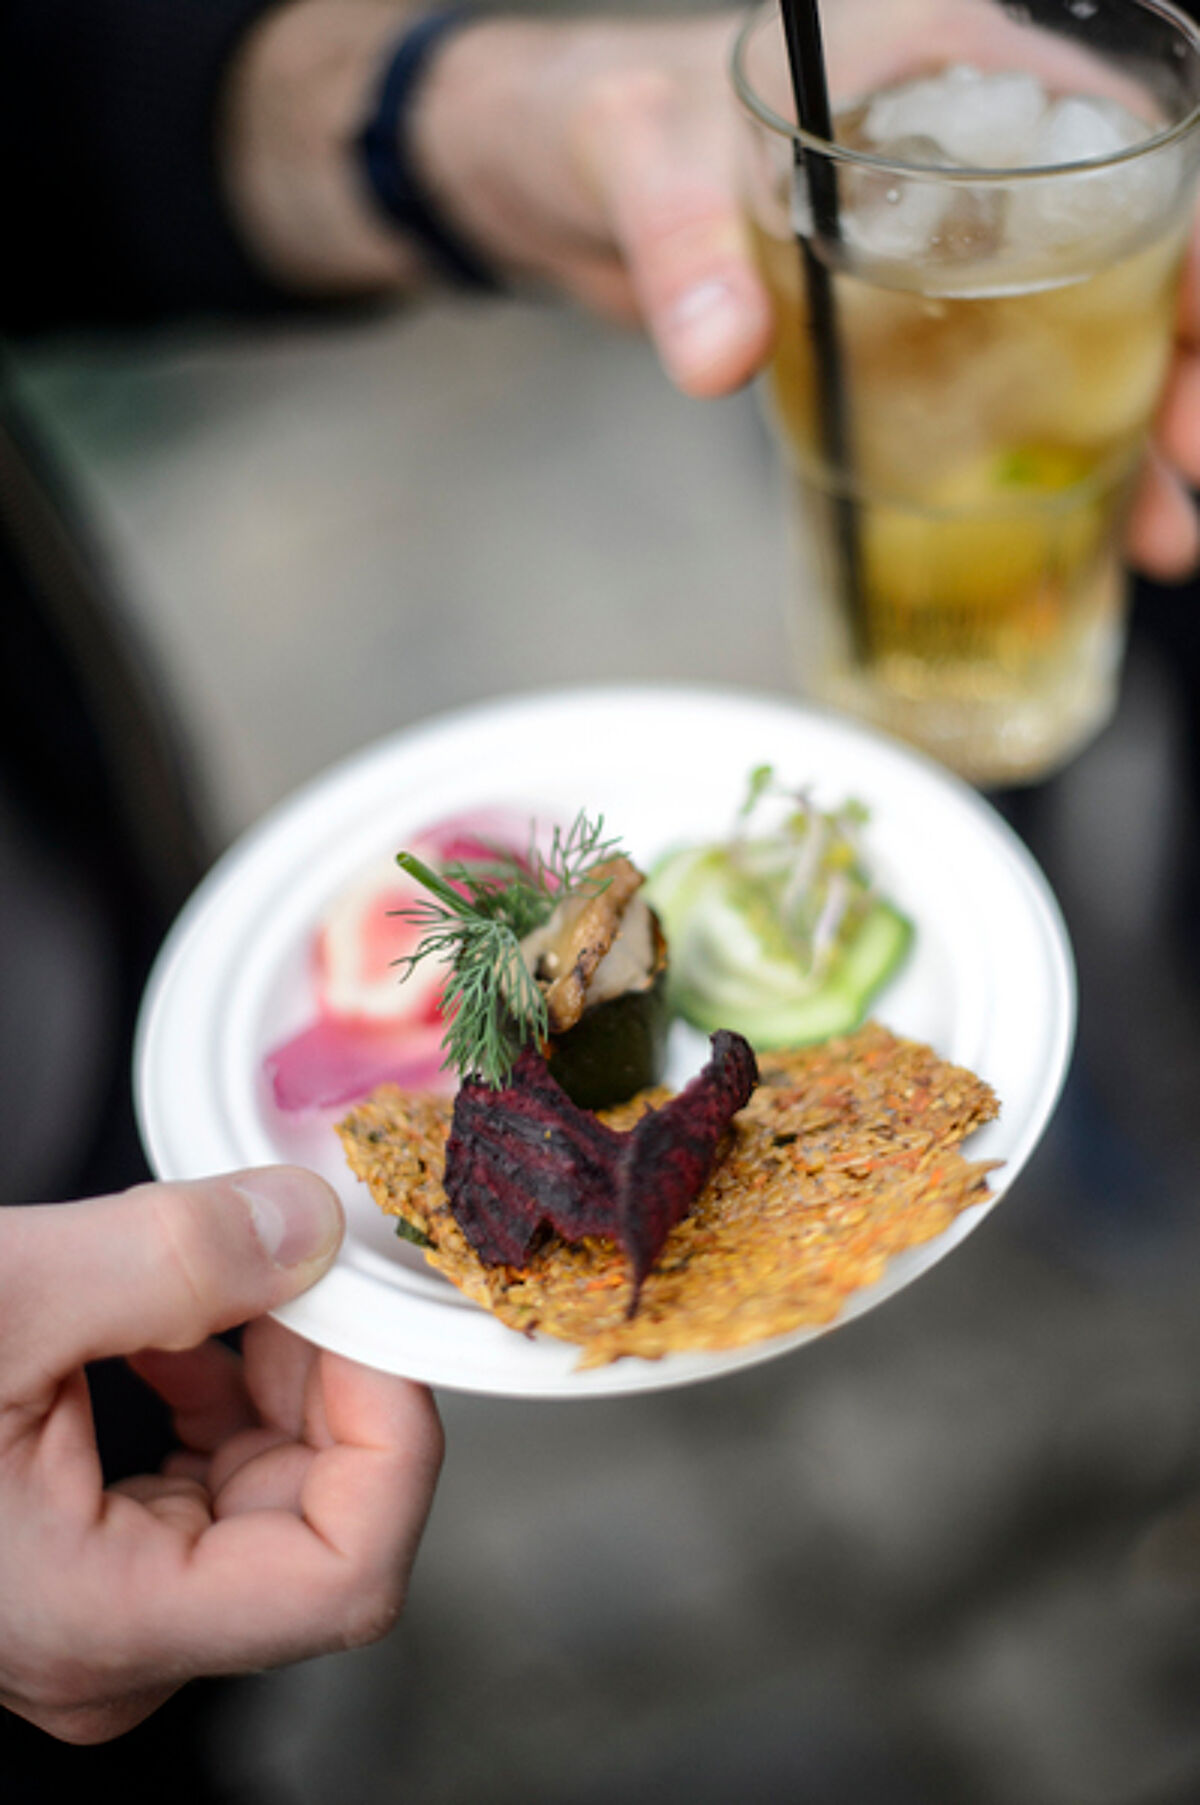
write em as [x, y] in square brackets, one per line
[288, 1524]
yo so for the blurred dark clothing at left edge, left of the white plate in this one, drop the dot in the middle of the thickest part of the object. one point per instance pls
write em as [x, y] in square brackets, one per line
[100, 842]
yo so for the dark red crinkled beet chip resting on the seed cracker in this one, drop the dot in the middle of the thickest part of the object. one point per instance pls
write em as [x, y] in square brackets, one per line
[526, 1156]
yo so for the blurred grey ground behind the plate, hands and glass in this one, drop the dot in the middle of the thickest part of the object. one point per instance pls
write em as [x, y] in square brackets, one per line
[945, 1555]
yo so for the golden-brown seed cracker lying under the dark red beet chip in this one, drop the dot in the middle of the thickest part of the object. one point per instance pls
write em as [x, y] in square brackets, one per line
[847, 1154]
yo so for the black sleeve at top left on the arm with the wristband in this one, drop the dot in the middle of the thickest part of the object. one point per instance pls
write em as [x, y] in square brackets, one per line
[107, 133]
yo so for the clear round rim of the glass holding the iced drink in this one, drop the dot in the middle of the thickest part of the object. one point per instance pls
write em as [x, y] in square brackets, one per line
[894, 167]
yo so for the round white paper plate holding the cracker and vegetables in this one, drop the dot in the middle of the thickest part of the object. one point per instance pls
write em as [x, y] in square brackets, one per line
[990, 983]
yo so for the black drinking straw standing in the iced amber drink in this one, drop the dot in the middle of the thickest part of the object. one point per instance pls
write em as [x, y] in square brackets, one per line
[806, 53]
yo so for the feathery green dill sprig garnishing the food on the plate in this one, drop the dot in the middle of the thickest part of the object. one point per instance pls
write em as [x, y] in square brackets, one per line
[475, 918]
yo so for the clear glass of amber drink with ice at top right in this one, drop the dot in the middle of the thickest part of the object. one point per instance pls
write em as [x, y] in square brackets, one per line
[1004, 270]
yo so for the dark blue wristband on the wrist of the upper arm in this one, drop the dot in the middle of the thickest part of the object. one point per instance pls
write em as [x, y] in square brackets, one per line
[385, 149]
